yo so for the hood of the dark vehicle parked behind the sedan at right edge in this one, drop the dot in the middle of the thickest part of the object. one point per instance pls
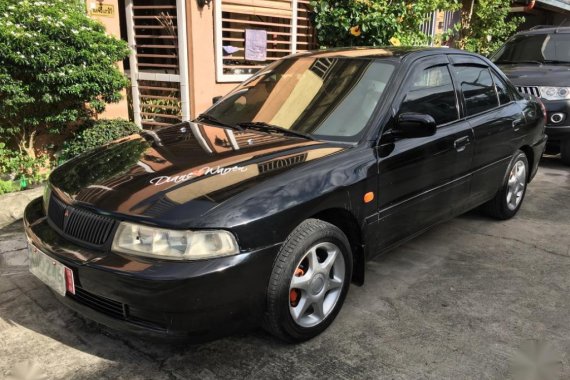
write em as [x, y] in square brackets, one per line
[537, 75]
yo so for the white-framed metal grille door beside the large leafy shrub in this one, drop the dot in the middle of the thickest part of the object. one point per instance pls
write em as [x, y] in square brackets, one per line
[156, 33]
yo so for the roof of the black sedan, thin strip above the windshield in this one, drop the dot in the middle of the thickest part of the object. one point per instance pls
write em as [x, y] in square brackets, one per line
[379, 52]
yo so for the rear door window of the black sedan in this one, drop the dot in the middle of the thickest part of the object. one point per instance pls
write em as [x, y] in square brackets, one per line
[477, 87]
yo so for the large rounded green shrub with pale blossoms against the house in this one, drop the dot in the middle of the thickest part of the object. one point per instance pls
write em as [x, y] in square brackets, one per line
[57, 66]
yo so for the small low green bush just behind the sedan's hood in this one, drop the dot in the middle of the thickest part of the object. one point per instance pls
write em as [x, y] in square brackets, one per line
[96, 133]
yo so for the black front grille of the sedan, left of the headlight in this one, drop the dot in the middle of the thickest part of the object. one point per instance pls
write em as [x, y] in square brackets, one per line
[80, 224]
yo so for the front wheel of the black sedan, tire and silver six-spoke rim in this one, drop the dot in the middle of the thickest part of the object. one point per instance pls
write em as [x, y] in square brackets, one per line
[312, 272]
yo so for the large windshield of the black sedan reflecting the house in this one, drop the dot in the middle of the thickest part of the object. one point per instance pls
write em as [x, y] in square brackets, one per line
[330, 98]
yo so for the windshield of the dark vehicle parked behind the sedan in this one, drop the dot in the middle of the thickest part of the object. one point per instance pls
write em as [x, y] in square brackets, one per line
[540, 48]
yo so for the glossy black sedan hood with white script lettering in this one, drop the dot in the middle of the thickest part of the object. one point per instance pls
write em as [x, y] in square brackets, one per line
[180, 172]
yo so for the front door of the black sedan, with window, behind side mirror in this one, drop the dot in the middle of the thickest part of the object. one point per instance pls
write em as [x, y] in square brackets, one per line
[424, 180]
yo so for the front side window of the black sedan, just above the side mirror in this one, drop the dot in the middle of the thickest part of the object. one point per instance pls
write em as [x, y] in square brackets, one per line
[432, 93]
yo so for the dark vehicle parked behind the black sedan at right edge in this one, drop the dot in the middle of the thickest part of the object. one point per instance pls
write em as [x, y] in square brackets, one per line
[538, 63]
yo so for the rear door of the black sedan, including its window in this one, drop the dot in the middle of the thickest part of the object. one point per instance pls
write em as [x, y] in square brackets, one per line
[496, 119]
